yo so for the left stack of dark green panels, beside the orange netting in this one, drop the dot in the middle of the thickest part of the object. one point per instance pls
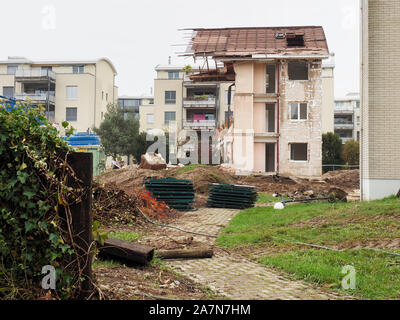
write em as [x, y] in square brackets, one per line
[177, 194]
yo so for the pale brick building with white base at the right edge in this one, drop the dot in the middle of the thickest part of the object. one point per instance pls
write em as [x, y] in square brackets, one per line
[380, 86]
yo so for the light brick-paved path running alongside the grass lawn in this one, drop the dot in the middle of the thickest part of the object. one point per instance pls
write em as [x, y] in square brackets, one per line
[231, 274]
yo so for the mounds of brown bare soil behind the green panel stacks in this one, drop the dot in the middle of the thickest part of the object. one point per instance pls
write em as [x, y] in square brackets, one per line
[132, 177]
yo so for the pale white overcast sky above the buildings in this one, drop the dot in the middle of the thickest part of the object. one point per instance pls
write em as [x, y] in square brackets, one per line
[138, 35]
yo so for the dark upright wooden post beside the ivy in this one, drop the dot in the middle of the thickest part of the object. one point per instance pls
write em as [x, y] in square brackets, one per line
[82, 164]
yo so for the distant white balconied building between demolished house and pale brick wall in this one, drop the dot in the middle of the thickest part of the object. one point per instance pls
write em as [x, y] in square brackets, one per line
[348, 117]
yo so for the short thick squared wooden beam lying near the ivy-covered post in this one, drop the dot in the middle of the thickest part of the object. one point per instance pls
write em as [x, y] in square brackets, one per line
[129, 251]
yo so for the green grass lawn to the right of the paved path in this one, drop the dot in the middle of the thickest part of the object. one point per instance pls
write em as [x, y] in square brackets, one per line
[340, 225]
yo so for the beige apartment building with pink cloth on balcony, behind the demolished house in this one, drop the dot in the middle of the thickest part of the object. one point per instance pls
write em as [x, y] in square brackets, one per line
[193, 105]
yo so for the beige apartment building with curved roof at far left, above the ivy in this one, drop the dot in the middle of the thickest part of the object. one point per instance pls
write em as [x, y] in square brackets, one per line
[75, 91]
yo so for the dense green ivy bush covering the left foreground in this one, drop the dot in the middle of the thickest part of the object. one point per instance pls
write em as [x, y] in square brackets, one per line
[32, 186]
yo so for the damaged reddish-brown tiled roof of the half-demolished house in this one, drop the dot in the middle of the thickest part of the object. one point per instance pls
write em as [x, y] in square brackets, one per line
[245, 42]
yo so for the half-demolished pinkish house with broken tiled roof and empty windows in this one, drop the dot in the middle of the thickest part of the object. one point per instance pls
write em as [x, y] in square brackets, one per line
[278, 94]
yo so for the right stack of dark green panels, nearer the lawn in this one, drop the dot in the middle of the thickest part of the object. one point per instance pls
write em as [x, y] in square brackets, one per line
[232, 196]
